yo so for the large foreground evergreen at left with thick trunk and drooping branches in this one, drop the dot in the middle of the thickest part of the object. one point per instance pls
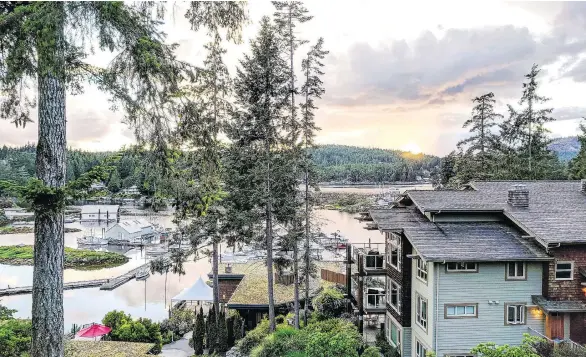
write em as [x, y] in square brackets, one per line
[47, 42]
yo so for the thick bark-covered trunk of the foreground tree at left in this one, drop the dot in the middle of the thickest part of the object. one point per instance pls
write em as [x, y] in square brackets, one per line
[47, 297]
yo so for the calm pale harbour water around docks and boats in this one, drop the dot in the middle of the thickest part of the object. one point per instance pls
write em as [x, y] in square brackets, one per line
[149, 298]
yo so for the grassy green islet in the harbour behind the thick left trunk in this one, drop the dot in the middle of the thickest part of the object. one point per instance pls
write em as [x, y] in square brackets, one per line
[74, 258]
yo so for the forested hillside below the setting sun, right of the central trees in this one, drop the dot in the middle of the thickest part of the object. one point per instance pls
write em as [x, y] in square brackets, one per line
[339, 163]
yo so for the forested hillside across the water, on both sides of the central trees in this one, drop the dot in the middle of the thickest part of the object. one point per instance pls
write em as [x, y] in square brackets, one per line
[335, 163]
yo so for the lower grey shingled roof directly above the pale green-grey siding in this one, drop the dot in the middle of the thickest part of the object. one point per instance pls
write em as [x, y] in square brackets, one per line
[466, 241]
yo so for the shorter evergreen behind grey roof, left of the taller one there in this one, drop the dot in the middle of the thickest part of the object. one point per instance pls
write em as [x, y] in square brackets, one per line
[481, 145]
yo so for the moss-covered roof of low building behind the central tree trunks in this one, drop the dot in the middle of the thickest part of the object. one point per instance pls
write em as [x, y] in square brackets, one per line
[253, 288]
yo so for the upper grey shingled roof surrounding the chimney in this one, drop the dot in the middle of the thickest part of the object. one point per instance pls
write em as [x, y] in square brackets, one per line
[556, 212]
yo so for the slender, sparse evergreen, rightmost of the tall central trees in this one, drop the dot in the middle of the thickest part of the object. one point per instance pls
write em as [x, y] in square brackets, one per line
[311, 90]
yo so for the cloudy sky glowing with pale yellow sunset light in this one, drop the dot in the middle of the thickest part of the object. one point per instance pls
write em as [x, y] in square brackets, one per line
[399, 75]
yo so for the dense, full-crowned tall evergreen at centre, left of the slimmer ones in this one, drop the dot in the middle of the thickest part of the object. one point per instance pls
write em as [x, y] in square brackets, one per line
[262, 175]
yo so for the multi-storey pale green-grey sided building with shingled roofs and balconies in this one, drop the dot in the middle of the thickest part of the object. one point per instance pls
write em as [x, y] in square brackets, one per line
[484, 264]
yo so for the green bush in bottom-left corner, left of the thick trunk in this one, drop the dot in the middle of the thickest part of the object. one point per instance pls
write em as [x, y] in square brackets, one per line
[15, 337]
